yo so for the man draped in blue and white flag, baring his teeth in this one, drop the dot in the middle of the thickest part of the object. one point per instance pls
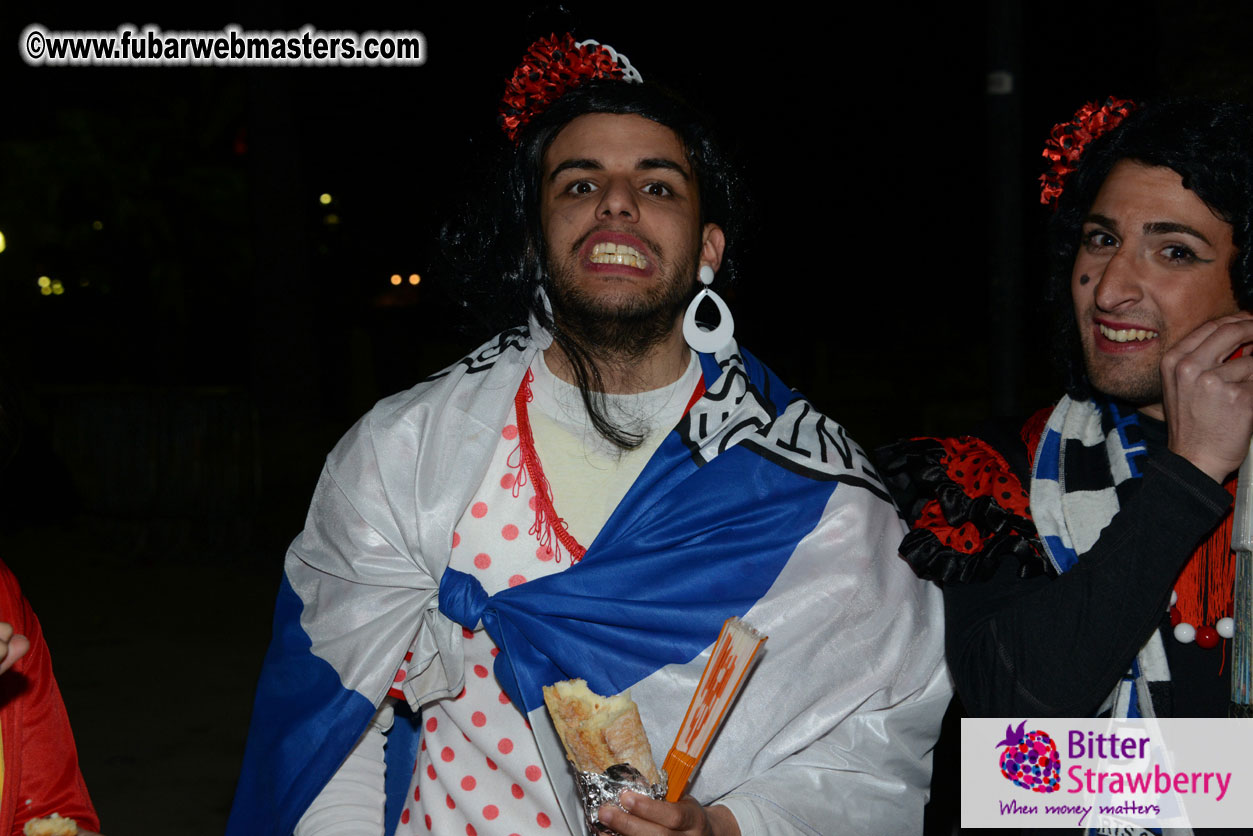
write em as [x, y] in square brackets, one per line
[592, 497]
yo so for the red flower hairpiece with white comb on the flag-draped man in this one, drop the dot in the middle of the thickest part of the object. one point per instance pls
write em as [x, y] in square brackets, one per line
[552, 68]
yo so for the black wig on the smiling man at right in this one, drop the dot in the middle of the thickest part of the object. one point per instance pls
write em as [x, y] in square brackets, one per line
[1210, 145]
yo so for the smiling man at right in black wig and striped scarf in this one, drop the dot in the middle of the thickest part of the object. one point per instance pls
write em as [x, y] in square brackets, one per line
[1086, 556]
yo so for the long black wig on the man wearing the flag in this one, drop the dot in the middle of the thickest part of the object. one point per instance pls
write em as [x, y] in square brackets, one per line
[497, 249]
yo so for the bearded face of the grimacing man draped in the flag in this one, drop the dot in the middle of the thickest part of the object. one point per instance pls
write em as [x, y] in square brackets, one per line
[621, 212]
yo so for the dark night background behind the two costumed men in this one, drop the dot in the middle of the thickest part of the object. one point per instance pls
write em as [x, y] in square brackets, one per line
[219, 327]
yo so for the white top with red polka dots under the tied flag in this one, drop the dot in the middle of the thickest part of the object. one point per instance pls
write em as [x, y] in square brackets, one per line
[479, 771]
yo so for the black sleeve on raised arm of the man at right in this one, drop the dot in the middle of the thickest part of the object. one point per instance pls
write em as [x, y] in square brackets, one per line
[1056, 646]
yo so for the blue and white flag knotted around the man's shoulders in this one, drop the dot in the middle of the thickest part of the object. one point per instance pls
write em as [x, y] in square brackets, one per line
[756, 506]
